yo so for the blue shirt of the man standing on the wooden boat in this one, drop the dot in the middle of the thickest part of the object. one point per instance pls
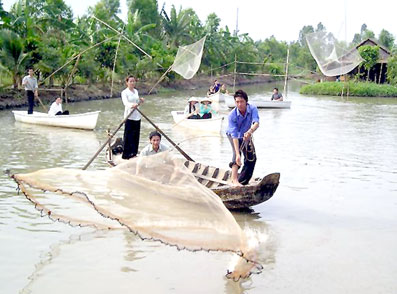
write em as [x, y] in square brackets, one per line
[239, 124]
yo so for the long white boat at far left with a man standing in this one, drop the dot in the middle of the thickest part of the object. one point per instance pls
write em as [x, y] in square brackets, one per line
[86, 121]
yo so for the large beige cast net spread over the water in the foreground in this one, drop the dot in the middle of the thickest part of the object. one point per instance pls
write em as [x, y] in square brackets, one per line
[155, 197]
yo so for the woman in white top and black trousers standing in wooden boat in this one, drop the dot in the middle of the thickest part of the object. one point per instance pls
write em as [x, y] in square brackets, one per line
[132, 128]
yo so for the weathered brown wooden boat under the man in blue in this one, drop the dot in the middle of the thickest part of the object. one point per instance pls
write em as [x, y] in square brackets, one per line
[219, 181]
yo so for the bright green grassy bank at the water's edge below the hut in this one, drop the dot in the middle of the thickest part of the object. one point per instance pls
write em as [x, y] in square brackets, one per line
[361, 89]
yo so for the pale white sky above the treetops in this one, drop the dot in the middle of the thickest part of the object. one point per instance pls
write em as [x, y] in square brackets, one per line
[281, 18]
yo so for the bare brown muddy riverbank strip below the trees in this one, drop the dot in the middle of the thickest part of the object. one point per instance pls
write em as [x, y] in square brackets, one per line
[12, 98]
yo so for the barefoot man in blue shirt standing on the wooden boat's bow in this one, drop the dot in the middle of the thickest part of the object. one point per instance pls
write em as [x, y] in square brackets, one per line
[243, 122]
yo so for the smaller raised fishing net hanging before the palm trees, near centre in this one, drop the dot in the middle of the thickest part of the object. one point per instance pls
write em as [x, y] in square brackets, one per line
[188, 59]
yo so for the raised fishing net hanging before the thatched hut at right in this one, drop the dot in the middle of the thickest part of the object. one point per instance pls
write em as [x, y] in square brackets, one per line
[332, 58]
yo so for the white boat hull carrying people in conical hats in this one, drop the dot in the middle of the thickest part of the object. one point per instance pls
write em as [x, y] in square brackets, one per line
[212, 125]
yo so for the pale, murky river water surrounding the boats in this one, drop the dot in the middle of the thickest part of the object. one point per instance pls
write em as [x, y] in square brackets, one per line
[331, 226]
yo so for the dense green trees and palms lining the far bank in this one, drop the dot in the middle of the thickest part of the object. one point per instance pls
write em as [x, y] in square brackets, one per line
[45, 35]
